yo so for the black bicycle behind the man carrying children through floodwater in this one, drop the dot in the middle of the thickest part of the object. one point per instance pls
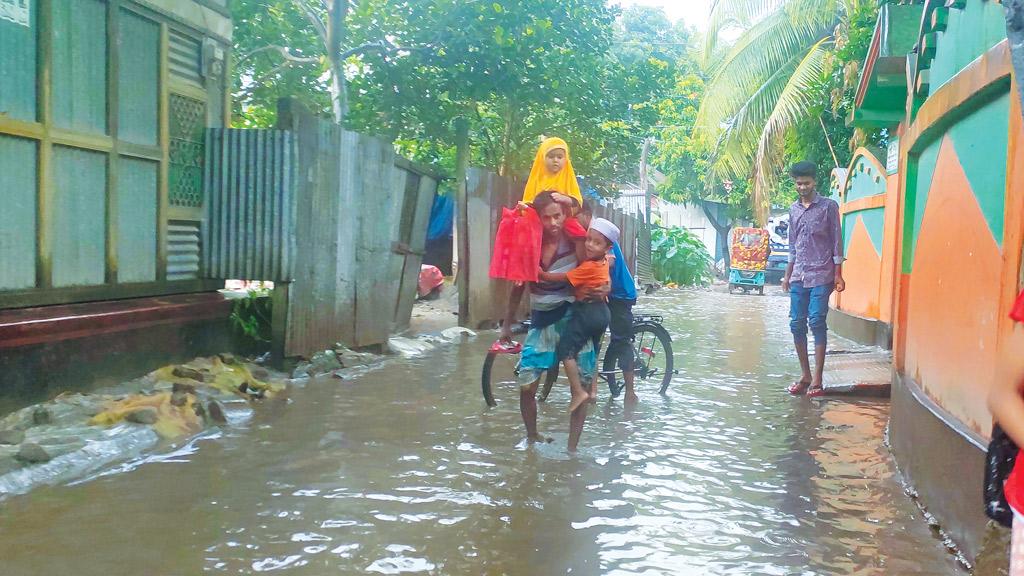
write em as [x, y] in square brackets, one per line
[654, 363]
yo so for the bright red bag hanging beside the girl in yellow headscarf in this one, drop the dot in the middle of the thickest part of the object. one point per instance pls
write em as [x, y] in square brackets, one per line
[518, 246]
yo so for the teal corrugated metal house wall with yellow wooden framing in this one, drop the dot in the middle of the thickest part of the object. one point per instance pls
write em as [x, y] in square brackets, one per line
[102, 148]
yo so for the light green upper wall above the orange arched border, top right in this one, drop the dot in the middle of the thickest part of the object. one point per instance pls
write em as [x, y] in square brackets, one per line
[972, 31]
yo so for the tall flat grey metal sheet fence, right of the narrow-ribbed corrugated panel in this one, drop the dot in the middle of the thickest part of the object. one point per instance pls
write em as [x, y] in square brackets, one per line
[361, 227]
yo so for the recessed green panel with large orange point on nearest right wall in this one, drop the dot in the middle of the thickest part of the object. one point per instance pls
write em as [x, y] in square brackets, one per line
[954, 241]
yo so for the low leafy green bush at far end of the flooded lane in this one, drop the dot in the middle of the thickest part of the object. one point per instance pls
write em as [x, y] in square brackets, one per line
[680, 258]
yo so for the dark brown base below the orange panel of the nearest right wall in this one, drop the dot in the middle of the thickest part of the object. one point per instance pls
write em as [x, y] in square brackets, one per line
[943, 461]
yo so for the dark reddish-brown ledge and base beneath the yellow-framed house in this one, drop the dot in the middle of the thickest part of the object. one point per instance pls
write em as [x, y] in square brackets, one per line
[51, 350]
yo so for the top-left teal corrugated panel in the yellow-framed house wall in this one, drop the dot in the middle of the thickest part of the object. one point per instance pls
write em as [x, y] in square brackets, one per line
[18, 67]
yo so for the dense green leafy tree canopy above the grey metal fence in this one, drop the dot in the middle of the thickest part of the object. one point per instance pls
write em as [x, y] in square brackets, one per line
[518, 71]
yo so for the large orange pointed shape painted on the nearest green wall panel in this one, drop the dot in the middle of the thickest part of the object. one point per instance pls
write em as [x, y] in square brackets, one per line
[954, 298]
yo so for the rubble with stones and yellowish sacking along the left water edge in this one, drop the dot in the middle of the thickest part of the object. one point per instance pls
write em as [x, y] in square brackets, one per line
[77, 434]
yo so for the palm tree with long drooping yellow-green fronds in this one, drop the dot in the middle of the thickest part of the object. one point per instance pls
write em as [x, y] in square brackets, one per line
[763, 84]
